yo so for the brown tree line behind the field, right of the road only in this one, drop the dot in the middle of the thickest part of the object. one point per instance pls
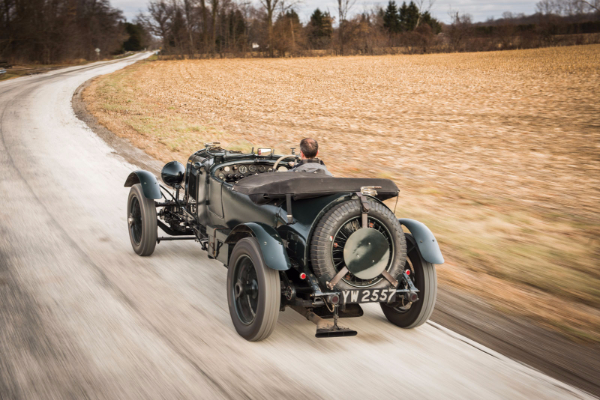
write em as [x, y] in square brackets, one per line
[209, 28]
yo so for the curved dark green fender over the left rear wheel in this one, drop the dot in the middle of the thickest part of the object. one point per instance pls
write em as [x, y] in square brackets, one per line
[271, 245]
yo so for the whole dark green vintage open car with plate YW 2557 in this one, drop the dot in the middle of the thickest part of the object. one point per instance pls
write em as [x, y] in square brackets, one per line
[317, 244]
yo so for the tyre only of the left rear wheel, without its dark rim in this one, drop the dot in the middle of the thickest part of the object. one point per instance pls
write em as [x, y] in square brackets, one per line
[257, 329]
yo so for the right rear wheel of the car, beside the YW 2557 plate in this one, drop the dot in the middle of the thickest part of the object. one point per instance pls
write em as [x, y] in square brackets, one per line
[410, 315]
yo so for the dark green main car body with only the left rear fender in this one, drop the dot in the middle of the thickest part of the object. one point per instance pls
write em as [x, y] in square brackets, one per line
[230, 215]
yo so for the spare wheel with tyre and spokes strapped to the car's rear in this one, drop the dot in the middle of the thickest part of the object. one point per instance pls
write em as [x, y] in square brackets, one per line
[328, 252]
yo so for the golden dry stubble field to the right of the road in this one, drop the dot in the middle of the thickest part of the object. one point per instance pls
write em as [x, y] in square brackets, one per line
[499, 153]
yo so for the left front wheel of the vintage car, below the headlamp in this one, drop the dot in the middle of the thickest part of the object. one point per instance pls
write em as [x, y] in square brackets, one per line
[141, 221]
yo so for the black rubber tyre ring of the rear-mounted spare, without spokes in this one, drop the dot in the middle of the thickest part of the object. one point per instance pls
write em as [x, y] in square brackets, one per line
[321, 243]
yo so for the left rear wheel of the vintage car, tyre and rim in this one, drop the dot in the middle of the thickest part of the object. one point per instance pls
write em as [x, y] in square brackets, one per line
[253, 292]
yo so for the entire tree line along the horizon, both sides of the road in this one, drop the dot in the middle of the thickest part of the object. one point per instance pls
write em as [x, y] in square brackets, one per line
[48, 31]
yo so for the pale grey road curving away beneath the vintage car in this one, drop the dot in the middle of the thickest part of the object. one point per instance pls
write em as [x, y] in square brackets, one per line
[82, 316]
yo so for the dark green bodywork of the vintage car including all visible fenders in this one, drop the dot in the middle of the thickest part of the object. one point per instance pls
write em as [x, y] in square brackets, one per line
[225, 216]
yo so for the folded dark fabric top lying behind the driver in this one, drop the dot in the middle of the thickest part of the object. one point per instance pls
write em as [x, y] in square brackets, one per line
[302, 185]
